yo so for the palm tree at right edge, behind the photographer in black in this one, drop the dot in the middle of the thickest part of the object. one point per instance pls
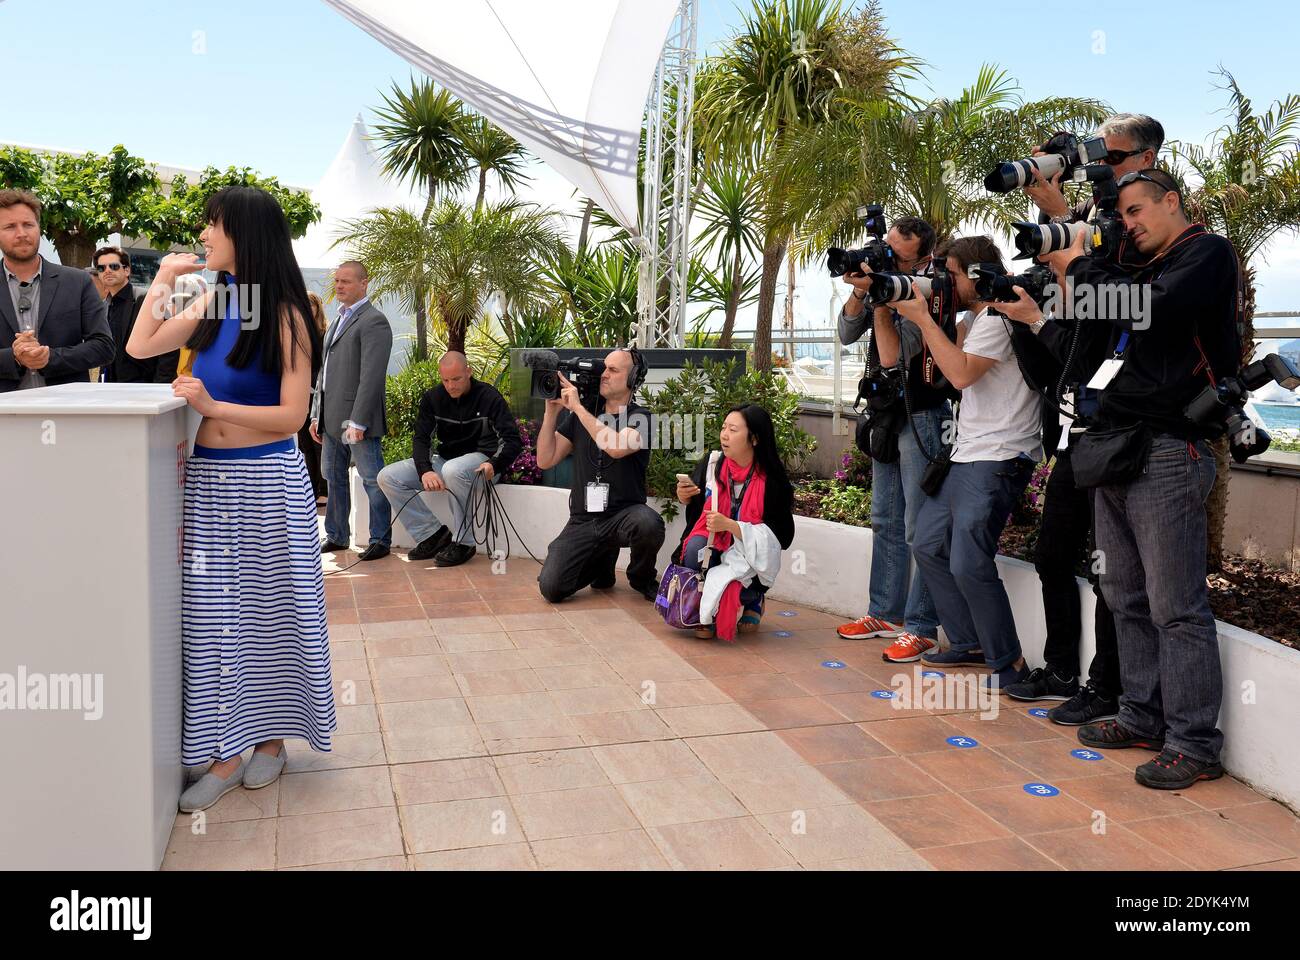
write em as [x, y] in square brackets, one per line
[1250, 192]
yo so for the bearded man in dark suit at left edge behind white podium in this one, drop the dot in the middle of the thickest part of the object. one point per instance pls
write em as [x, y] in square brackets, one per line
[54, 327]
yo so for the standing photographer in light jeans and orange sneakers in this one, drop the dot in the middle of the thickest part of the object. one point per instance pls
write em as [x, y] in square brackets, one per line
[899, 606]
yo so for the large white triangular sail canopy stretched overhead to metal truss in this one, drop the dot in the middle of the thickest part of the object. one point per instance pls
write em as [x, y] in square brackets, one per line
[567, 79]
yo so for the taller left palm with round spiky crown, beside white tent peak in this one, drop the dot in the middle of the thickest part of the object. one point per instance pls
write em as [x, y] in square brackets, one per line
[419, 140]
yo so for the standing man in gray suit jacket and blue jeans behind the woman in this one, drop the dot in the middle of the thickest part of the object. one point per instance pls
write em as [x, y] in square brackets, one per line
[348, 410]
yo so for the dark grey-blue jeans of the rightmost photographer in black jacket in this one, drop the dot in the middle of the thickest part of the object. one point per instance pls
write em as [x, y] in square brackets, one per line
[1152, 537]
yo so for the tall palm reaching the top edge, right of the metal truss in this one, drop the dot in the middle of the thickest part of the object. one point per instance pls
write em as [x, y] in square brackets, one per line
[781, 72]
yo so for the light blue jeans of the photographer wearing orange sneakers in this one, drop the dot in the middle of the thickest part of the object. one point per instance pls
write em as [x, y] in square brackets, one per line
[896, 499]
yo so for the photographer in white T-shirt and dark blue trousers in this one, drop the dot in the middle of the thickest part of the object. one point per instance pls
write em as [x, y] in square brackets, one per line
[994, 455]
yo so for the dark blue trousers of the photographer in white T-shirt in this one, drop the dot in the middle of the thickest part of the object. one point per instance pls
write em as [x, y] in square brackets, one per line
[956, 543]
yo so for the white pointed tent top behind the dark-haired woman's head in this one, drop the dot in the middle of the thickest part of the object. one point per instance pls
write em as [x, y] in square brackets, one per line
[353, 187]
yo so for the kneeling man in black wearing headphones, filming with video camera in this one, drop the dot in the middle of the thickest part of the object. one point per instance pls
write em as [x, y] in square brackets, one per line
[608, 500]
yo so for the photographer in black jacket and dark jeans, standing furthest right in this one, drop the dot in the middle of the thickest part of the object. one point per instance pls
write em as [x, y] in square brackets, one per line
[1152, 472]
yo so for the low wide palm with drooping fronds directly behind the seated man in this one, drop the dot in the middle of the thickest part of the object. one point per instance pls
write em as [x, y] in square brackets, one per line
[460, 256]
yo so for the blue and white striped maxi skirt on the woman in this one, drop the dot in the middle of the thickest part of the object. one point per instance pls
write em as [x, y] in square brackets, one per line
[255, 642]
